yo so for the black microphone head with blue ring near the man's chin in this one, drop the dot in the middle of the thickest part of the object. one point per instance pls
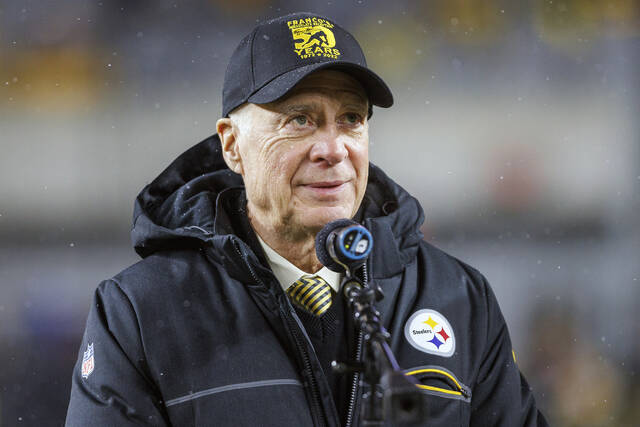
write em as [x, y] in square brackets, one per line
[343, 244]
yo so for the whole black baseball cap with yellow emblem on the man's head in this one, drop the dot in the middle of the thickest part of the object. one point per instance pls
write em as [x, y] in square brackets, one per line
[279, 53]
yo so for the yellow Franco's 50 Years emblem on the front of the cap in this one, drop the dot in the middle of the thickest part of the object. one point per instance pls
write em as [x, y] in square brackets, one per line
[313, 37]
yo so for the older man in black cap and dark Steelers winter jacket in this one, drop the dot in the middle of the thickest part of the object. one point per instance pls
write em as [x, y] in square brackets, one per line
[230, 319]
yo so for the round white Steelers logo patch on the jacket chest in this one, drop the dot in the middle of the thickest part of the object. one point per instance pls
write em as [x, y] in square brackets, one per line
[430, 332]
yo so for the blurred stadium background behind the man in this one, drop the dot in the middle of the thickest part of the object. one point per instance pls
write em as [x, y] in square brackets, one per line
[515, 124]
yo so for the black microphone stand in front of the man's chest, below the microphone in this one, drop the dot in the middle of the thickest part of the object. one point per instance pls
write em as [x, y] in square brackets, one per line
[391, 395]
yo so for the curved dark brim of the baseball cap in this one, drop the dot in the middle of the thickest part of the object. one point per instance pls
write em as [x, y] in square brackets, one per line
[377, 90]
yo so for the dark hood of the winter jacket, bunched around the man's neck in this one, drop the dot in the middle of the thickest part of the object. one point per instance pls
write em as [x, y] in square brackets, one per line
[180, 209]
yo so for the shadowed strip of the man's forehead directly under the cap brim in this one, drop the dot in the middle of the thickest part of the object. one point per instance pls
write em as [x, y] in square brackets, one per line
[332, 83]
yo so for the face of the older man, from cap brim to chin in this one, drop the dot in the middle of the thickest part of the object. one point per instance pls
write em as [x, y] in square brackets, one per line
[305, 158]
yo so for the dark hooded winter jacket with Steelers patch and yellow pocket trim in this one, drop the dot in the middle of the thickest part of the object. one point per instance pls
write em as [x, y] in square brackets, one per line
[200, 333]
